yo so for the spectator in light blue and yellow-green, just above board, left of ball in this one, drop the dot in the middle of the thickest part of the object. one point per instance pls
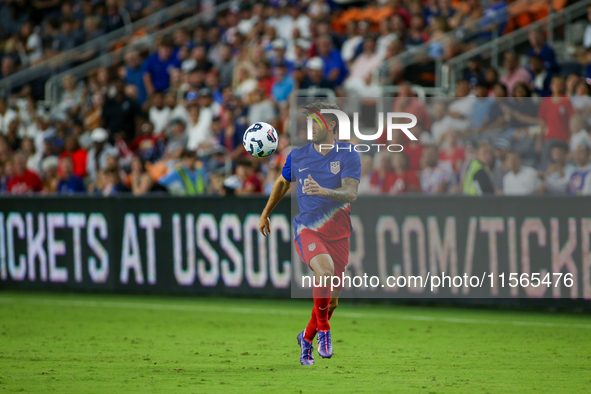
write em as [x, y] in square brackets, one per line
[189, 178]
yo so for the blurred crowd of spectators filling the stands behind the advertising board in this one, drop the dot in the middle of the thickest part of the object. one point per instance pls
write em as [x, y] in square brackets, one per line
[173, 120]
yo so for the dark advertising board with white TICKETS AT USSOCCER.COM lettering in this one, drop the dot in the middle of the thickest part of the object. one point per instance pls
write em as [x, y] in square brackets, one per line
[169, 245]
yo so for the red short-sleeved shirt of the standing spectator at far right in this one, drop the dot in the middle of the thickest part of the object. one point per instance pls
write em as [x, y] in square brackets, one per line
[556, 112]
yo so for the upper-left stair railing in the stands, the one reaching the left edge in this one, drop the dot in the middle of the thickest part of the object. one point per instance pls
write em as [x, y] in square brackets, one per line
[100, 45]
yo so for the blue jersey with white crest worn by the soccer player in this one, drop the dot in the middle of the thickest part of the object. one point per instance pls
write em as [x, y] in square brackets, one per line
[328, 217]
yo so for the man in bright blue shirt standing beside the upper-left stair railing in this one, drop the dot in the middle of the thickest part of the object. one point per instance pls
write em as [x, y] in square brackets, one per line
[157, 67]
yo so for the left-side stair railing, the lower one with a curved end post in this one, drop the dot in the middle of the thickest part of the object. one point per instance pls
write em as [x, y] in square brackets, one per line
[53, 86]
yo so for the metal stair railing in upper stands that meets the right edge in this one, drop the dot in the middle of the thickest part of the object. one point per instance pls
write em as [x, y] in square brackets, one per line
[452, 70]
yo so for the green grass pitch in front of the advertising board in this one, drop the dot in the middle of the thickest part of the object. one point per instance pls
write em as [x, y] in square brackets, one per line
[65, 343]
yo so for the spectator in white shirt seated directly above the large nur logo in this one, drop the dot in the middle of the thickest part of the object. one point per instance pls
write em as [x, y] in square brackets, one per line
[358, 83]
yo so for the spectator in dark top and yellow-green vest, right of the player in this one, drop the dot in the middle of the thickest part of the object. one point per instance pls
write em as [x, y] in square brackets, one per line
[477, 181]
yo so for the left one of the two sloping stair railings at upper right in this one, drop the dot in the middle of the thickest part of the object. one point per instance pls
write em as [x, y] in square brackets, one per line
[463, 33]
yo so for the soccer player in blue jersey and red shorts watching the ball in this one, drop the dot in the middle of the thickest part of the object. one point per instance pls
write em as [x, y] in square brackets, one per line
[326, 173]
